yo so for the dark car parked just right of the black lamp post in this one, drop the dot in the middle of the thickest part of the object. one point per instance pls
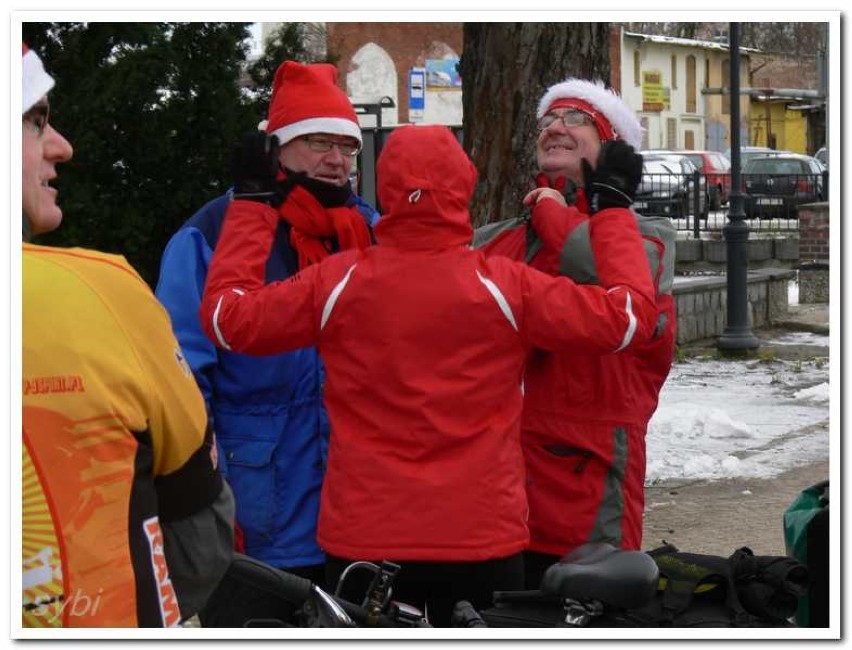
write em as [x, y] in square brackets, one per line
[776, 185]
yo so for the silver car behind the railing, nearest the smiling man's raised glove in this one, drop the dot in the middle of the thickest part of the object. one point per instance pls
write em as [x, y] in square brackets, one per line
[668, 186]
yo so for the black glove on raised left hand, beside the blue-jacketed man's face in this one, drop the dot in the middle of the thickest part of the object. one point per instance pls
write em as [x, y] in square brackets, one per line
[254, 166]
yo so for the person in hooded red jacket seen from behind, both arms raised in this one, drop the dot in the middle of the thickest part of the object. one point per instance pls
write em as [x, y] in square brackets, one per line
[425, 343]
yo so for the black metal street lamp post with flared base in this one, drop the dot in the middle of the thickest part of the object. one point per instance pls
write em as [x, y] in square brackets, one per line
[737, 336]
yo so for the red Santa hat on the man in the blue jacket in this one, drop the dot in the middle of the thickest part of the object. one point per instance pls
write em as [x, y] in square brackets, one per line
[306, 99]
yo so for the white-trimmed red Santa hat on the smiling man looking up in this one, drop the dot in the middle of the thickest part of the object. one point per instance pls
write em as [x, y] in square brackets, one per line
[614, 119]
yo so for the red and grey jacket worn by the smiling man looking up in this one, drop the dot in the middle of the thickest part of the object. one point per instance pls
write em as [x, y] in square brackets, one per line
[585, 415]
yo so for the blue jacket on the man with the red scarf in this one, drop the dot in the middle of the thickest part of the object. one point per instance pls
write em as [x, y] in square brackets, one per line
[268, 414]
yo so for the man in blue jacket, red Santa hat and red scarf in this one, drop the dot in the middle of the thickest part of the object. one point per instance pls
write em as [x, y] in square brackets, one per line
[268, 411]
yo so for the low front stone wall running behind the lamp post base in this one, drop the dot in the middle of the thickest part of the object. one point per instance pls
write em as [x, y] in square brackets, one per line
[702, 302]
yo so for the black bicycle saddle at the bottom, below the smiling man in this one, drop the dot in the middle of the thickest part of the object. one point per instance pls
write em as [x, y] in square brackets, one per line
[599, 571]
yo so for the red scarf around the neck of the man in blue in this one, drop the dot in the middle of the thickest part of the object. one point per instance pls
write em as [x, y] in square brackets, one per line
[312, 226]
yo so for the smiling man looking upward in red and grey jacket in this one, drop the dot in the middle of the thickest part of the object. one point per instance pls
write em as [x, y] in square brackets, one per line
[585, 417]
